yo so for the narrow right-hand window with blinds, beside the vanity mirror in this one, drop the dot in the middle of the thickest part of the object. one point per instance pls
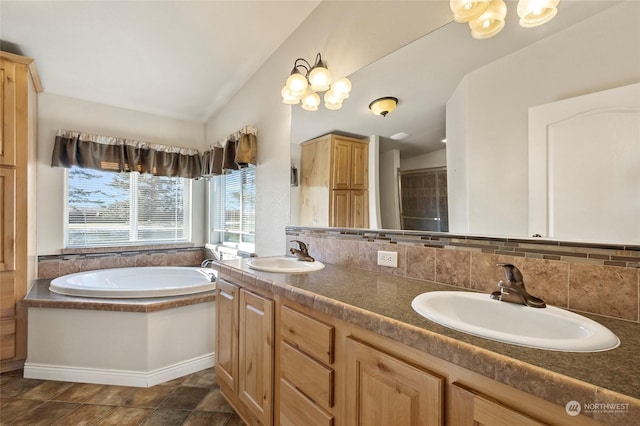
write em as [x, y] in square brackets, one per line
[233, 209]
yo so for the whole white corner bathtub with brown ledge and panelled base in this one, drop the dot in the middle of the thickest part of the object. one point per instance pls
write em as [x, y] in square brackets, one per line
[114, 339]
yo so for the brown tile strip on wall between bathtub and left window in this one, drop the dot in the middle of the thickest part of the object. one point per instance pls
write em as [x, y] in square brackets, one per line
[79, 260]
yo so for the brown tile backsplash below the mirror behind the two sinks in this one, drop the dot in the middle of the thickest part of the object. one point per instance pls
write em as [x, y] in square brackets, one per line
[601, 279]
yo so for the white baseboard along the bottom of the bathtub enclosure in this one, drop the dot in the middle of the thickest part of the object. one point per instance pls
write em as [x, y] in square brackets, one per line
[141, 379]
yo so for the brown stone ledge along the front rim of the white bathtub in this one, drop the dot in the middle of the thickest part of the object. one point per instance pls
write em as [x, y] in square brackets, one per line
[41, 297]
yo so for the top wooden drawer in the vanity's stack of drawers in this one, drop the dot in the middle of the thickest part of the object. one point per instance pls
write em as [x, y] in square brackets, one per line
[307, 334]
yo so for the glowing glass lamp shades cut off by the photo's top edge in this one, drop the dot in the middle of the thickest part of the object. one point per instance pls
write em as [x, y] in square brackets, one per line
[486, 17]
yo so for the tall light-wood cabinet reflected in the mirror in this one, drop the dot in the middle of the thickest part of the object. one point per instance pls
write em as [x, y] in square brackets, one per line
[334, 189]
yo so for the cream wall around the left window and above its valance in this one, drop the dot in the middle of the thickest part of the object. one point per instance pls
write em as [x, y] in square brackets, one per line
[59, 112]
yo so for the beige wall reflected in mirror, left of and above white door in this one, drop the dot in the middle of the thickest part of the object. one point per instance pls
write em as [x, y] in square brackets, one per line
[488, 135]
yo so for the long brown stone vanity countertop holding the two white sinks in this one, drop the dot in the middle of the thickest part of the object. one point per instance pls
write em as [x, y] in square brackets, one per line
[382, 303]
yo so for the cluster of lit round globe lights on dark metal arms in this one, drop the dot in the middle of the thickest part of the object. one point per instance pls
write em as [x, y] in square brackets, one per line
[305, 81]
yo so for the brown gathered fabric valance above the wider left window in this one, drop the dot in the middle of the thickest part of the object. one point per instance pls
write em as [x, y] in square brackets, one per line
[74, 148]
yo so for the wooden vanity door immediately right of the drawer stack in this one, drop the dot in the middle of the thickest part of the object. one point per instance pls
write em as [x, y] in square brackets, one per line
[383, 390]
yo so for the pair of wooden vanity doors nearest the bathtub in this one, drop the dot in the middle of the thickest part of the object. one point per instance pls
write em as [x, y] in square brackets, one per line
[245, 351]
